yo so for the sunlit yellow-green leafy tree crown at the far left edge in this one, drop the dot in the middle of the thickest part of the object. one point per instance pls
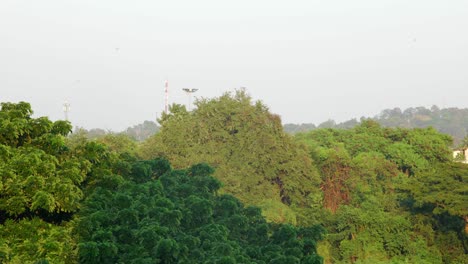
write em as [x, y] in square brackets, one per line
[38, 171]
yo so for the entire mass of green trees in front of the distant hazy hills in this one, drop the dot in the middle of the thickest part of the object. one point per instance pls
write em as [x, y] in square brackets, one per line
[225, 183]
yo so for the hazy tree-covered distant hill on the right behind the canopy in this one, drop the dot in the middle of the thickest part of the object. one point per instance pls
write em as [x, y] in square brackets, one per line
[451, 121]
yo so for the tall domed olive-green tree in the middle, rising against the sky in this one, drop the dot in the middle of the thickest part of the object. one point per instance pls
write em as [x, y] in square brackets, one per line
[256, 161]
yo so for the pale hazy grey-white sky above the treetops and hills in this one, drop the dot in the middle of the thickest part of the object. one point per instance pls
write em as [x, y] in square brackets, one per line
[308, 61]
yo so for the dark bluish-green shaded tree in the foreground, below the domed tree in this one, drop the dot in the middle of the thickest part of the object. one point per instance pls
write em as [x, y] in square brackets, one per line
[180, 218]
